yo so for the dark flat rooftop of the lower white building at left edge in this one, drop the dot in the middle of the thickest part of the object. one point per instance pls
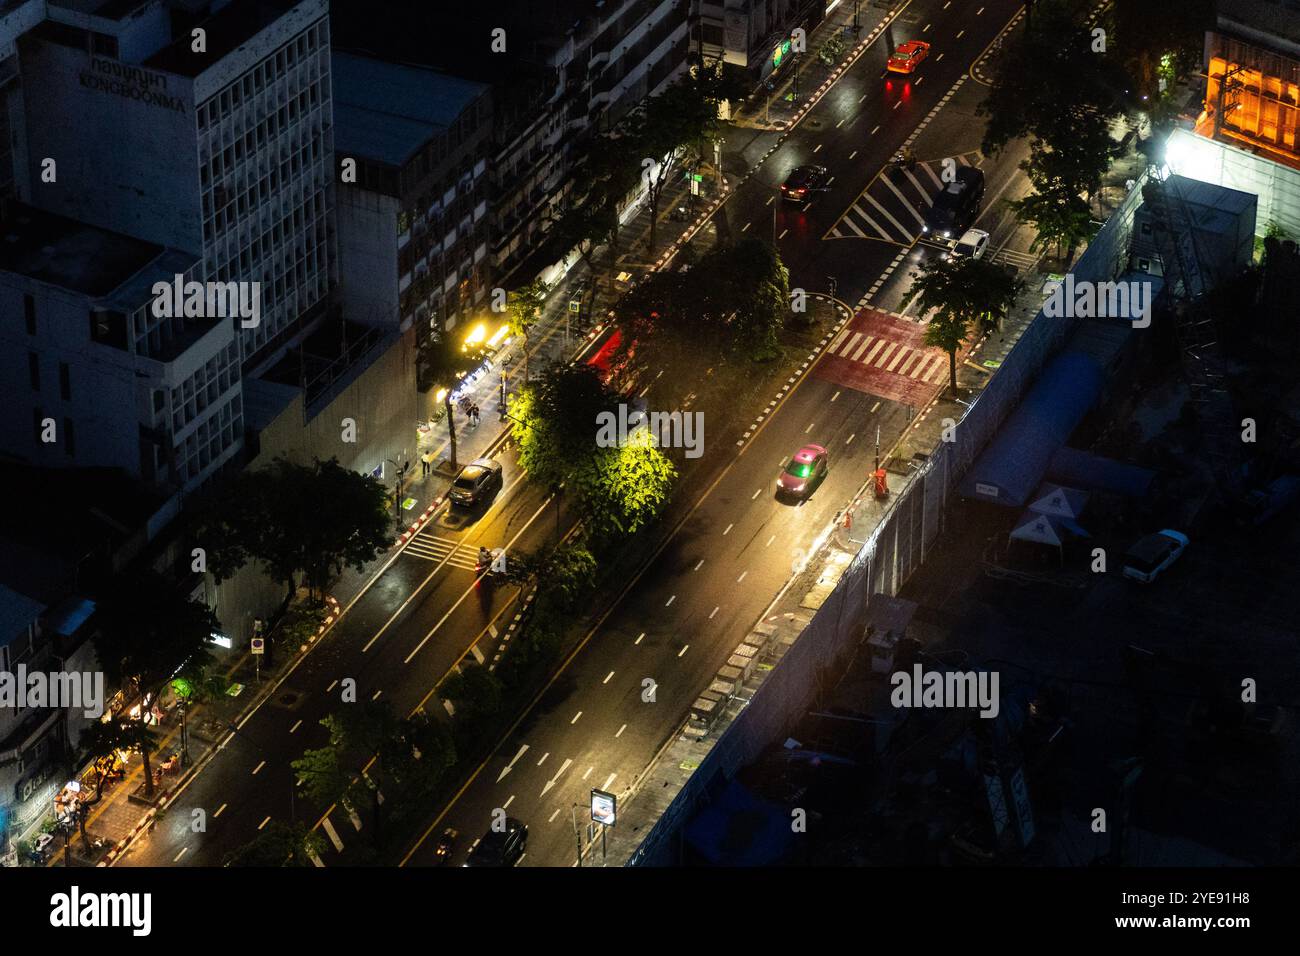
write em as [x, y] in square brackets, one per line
[70, 254]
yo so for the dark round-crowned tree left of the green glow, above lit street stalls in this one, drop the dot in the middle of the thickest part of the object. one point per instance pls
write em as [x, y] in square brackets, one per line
[149, 628]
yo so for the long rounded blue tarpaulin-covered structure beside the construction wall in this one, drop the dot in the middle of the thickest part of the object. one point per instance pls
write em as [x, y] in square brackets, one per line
[1013, 466]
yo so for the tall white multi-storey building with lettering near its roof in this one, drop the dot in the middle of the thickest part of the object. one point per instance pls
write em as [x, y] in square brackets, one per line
[205, 127]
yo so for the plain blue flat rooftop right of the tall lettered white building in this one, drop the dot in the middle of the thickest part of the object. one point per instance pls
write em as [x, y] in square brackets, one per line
[387, 113]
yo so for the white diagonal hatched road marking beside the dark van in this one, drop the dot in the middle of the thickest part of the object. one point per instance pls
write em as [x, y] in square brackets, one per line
[894, 206]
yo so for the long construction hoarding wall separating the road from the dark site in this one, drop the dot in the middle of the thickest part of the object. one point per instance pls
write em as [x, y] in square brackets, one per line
[894, 551]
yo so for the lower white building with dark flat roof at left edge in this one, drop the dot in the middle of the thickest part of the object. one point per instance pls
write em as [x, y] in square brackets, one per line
[90, 377]
